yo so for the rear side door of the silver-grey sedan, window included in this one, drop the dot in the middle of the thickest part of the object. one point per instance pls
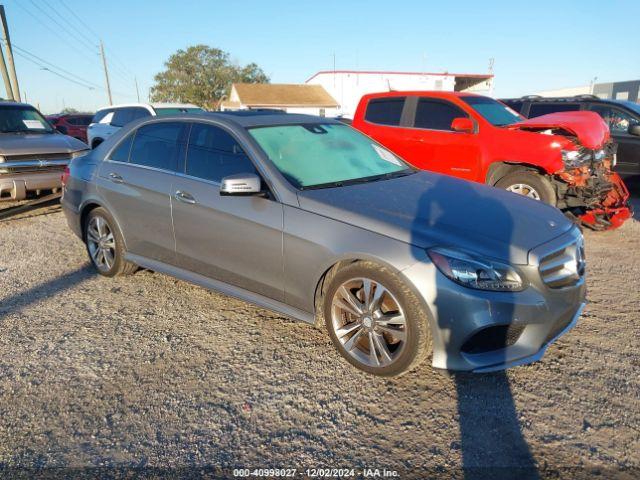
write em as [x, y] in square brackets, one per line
[136, 183]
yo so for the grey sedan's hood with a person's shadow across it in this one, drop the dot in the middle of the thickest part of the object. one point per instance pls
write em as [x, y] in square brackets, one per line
[426, 209]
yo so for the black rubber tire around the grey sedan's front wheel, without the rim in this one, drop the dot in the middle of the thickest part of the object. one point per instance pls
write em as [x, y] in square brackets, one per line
[417, 345]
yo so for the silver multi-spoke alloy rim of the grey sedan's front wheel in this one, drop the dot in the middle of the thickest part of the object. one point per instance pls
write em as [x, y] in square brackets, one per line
[368, 322]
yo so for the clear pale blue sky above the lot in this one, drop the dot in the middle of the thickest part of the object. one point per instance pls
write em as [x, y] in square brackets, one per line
[537, 45]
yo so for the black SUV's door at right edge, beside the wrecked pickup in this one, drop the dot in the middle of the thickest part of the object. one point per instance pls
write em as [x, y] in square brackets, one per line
[619, 121]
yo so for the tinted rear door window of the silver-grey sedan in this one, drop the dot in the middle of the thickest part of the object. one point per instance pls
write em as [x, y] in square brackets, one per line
[158, 145]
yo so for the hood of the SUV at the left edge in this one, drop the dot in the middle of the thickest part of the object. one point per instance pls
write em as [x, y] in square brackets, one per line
[38, 143]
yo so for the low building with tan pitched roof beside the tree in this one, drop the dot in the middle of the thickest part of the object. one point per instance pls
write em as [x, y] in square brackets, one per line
[291, 98]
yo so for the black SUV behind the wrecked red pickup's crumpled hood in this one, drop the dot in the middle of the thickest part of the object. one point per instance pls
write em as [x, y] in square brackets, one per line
[622, 117]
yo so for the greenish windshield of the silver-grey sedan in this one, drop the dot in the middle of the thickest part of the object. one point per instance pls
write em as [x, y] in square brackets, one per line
[327, 155]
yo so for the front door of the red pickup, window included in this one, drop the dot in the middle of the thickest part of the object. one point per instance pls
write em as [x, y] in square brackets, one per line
[438, 147]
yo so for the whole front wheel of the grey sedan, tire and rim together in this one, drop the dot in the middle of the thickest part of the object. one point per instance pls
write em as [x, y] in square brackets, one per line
[394, 353]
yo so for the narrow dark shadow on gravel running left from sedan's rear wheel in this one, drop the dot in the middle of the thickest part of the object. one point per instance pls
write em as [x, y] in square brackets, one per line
[51, 288]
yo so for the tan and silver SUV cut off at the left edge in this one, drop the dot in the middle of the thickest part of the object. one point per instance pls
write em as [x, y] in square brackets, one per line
[32, 154]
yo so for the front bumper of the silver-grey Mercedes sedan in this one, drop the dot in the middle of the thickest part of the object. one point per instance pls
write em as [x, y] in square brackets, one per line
[460, 316]
